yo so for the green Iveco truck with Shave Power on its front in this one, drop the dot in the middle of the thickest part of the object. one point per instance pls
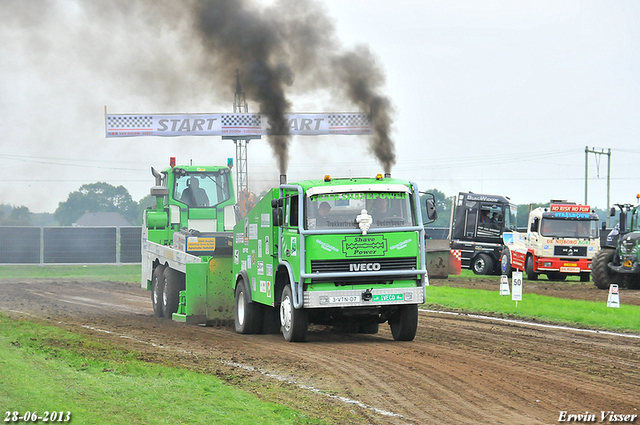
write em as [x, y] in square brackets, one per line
[347, 253]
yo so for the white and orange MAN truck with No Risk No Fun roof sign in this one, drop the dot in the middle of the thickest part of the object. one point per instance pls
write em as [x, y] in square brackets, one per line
[561, 240]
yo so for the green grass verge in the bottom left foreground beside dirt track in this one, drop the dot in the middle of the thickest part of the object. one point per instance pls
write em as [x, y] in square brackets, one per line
[48, 369]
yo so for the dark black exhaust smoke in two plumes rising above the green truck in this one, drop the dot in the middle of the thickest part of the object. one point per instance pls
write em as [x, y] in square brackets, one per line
[292, 38]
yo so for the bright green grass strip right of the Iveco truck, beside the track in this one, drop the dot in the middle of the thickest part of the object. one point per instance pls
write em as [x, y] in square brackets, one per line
[558, 310]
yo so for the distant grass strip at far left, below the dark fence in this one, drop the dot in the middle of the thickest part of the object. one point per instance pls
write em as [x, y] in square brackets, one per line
[116, 273]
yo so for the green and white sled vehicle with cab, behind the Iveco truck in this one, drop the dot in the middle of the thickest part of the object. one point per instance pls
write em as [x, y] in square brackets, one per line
[186, 243]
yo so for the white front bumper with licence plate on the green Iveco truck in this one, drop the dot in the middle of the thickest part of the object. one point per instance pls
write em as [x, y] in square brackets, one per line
[364, 298]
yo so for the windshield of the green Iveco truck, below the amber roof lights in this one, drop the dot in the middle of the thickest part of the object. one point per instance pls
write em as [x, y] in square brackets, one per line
[339, 211]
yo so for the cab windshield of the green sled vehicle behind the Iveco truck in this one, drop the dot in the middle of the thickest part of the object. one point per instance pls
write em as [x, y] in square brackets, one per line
[202, 189]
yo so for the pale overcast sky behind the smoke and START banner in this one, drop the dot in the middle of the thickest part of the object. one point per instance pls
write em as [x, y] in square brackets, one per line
[495, 97]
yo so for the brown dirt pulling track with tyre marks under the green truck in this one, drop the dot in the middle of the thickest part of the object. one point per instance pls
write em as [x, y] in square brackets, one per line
[458, 370]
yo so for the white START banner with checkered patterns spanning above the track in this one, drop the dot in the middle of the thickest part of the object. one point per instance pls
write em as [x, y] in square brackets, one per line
[131, 125]
